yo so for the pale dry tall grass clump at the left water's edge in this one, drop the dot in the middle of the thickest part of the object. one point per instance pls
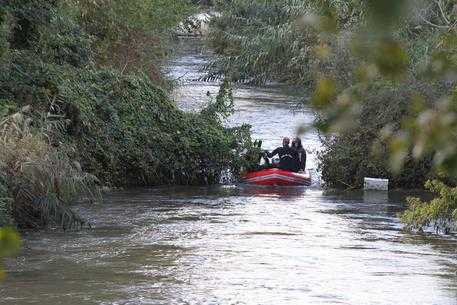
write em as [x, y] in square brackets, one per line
[41, 179]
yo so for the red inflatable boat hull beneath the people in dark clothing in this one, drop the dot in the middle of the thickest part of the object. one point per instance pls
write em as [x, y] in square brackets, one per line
[276, 176]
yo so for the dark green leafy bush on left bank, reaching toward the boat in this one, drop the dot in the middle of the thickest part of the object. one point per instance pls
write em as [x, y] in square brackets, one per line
[132, 134]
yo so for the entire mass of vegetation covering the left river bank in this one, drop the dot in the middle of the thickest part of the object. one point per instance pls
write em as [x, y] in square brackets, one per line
[74, 115]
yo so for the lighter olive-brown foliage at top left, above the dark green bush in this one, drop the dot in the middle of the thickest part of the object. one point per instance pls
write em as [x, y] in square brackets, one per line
[129, 35]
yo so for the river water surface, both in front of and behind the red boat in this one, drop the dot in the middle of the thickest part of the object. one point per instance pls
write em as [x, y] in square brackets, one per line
[236, 244]
